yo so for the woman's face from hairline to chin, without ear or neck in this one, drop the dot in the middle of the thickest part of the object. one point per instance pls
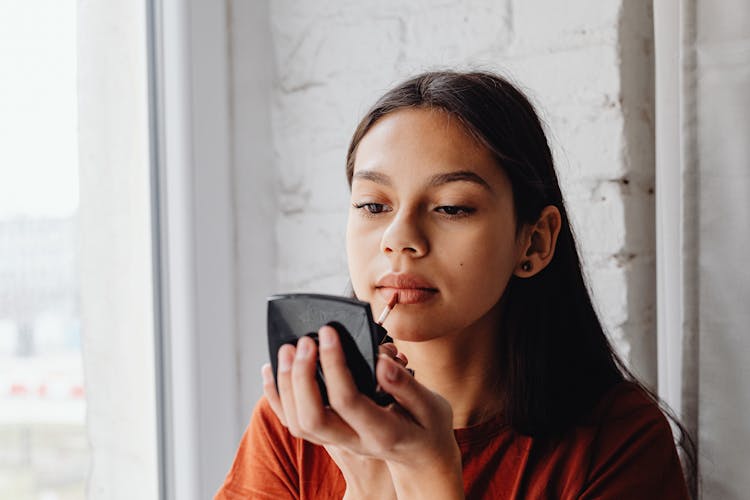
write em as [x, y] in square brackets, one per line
[432, 218]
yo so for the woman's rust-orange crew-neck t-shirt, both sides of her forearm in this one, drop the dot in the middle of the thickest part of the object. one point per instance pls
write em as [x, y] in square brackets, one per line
[623, 450]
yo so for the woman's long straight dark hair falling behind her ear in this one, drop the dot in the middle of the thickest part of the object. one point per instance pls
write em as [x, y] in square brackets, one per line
[555, 359]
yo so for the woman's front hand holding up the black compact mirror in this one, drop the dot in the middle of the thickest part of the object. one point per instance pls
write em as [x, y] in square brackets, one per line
[413, 437]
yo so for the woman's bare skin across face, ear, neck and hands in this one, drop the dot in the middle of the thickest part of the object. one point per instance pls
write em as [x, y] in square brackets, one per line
[458, 233]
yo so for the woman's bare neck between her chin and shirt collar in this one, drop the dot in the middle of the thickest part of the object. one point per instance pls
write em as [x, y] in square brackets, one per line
[462, 368]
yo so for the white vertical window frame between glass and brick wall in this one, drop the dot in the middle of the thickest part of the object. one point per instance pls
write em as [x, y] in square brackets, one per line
[193, 245]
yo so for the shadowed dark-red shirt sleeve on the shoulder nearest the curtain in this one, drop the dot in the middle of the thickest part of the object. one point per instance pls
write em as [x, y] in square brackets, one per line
[634, 455]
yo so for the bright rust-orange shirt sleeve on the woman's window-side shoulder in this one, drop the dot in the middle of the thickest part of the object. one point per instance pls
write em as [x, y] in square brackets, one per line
[265, 466]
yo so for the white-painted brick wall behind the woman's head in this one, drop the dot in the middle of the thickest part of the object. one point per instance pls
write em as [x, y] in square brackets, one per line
[587, 65]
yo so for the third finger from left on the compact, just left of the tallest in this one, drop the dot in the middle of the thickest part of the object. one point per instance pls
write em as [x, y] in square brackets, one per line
[318, 424]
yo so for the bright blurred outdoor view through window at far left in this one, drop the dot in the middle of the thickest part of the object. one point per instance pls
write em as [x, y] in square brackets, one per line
[44, 451]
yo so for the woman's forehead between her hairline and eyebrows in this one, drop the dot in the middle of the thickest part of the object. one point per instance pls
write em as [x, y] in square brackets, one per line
[419, 143]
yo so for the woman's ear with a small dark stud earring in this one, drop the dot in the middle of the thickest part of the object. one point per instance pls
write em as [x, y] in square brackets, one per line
[538, 242]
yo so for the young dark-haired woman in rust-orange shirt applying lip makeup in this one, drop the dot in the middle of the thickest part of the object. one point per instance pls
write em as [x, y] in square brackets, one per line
[456, 207]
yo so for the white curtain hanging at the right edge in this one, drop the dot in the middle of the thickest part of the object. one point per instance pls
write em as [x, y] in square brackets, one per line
[703, 221]
